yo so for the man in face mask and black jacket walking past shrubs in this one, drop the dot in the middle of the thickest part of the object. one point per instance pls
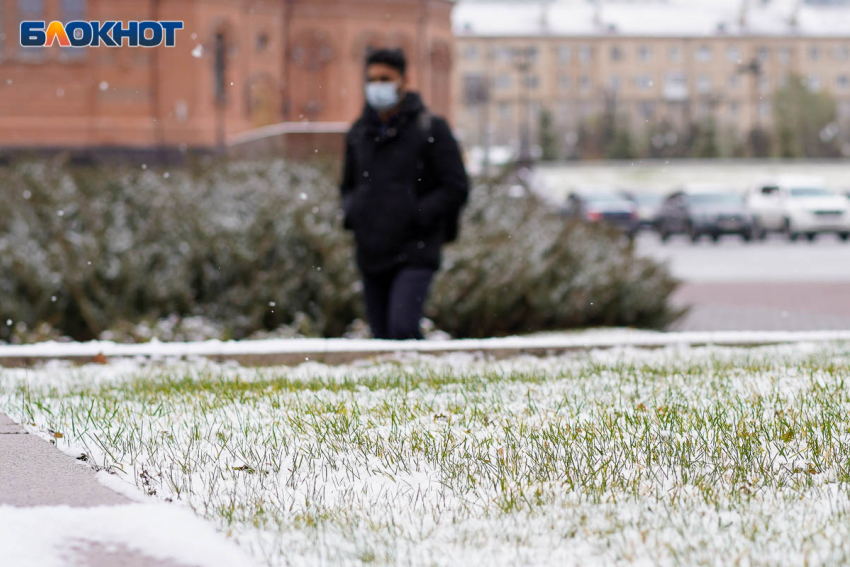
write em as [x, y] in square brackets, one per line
[403, 187]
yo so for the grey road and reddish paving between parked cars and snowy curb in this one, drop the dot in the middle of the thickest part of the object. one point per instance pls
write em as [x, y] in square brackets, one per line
[774, 285]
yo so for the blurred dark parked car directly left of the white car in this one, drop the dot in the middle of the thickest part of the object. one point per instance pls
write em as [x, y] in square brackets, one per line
[700, 211]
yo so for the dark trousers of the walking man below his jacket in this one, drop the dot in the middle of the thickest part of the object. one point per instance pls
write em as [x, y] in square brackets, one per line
[395, 300]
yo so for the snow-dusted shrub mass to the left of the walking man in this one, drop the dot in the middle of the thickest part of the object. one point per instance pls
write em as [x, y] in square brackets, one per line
[249, 246]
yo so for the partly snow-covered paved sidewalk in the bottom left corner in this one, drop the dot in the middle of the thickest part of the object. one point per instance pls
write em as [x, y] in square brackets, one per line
[52, 508]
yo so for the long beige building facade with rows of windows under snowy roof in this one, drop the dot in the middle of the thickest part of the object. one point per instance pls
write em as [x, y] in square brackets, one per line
[657, 82]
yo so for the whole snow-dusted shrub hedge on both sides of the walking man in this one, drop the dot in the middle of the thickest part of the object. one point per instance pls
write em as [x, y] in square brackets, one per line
[251, 247]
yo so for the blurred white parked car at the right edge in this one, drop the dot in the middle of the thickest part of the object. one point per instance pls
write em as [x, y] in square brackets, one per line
[799, 206]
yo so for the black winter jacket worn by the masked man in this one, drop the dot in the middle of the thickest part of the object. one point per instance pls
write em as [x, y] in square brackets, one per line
[403, 185]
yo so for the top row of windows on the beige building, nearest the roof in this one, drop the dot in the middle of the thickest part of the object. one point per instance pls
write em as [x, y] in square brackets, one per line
[645, 53]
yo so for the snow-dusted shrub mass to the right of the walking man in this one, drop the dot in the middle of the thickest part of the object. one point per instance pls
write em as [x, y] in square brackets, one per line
[520, 267]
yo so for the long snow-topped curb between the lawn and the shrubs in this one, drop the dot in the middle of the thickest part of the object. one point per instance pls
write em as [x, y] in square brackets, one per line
[287, 352]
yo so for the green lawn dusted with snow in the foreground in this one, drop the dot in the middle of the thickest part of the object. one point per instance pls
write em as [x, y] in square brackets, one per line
[677, 456]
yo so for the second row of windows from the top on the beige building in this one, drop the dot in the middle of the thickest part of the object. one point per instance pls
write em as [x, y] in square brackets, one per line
[702, 83]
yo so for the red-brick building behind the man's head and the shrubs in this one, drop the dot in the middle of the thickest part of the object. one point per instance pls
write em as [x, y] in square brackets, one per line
[238, 65]
